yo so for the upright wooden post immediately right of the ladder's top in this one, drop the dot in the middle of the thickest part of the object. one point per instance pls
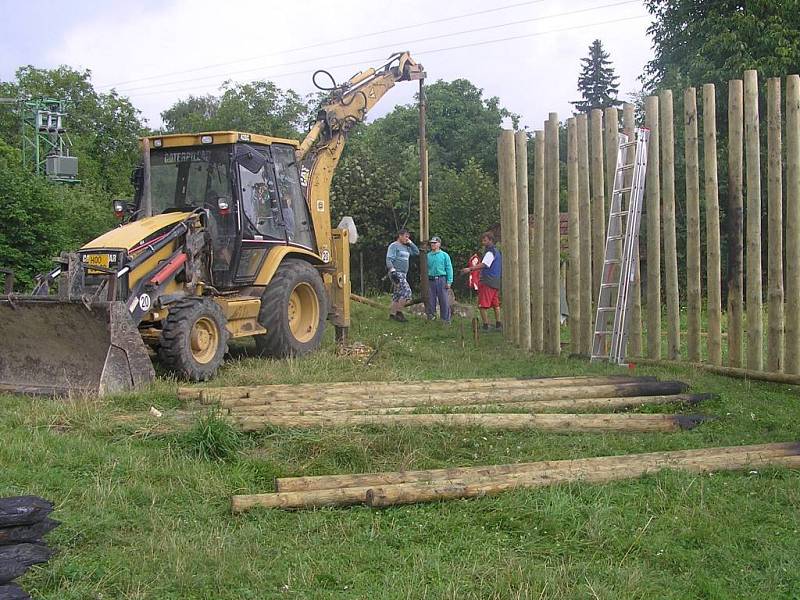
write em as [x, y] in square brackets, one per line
[653, 203]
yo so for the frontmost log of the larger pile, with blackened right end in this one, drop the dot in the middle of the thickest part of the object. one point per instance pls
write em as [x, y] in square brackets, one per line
[568, 423]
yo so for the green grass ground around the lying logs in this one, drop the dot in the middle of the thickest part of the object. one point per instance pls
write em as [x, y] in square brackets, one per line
[144, 502]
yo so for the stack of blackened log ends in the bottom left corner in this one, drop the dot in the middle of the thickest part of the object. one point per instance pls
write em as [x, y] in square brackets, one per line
[23, 523]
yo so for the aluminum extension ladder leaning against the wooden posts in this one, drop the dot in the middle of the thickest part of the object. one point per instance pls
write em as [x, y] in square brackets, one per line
[622, 239]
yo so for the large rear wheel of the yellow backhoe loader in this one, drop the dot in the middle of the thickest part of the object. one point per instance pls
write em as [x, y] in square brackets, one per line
[293, 311]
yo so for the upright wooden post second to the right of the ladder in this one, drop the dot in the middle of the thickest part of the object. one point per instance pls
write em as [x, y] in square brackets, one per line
[668, 225]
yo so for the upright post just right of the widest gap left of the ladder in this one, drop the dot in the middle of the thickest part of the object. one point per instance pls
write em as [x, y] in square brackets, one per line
[574, 273]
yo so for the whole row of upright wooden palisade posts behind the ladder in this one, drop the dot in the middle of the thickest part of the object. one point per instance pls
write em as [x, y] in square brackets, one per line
[532, 253]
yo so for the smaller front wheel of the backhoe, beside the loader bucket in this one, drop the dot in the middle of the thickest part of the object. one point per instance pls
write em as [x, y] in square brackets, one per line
[194, 339]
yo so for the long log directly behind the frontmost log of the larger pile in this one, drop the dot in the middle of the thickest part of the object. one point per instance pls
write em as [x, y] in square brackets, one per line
[576, 404]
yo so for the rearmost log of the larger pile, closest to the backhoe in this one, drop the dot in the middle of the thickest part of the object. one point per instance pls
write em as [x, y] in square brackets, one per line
[381, 387]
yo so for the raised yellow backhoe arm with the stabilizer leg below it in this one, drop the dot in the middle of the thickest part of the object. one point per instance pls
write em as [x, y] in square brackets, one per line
[319, 153]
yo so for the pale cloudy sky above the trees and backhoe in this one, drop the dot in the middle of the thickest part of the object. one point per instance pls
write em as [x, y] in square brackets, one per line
[526, 52]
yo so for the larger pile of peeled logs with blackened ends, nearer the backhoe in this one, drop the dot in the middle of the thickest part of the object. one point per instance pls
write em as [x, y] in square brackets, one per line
[492, 403]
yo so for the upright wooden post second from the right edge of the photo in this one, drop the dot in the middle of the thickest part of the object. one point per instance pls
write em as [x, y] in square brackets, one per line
[775, 228]
